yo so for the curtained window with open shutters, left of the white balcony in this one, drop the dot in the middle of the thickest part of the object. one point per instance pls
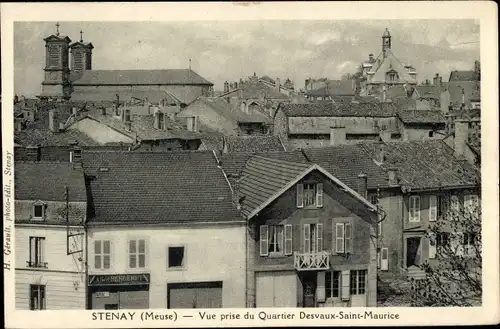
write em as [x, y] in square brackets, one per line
[275, 239]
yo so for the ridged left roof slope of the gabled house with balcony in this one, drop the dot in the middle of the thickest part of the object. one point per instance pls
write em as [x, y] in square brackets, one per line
[263, 177]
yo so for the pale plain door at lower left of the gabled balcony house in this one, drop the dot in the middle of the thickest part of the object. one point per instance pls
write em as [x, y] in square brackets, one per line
[276, 289]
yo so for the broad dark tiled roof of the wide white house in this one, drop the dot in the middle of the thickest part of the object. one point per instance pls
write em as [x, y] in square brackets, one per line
[144, 187]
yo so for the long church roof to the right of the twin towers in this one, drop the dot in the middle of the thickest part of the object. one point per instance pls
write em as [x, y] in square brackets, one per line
[141, 77]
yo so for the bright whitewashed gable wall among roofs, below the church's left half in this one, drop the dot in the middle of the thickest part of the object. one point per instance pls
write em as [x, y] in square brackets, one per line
[99, 132]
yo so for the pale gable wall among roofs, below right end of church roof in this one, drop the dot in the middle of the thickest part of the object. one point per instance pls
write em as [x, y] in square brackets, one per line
[210, 118]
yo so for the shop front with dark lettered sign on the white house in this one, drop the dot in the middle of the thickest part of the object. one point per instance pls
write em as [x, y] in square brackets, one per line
[120, 291]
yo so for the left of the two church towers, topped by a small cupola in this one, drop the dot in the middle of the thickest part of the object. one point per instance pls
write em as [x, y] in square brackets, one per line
[56, 83]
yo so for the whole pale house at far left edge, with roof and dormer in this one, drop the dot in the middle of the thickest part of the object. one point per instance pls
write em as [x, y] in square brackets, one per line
[50, 213]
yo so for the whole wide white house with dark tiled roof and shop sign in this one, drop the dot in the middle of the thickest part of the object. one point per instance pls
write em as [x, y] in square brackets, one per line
[174, 241]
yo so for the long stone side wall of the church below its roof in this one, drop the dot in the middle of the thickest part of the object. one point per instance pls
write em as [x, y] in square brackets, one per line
[186, 93]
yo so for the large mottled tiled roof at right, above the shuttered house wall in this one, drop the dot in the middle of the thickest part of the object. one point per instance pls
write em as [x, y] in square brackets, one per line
[426, 164]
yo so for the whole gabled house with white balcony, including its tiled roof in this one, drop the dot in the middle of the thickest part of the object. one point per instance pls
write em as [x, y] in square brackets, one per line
[310, 237]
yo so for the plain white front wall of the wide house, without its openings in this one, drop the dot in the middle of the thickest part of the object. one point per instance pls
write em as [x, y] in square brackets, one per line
[213, 253]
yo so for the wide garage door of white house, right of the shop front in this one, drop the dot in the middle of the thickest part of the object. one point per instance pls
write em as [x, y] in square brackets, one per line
[195, 295]
